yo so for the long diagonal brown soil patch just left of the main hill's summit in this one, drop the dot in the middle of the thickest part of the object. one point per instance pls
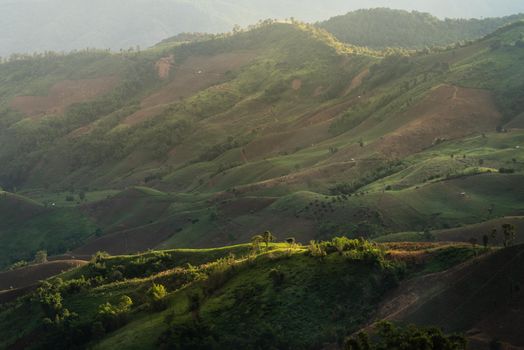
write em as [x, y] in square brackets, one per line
[195, 74]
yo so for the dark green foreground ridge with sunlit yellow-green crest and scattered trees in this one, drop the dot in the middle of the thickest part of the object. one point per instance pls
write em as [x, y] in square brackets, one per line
[283, 295]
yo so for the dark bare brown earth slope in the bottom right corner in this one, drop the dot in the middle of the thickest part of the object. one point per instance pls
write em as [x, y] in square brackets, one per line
[482, 297]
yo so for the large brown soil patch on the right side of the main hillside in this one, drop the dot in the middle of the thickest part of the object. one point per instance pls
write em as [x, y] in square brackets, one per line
[448, 112]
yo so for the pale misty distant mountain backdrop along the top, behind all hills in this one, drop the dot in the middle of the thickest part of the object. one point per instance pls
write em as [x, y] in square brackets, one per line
[29, 26]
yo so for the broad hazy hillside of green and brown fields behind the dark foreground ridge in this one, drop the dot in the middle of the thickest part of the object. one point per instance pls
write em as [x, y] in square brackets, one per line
[281, 128]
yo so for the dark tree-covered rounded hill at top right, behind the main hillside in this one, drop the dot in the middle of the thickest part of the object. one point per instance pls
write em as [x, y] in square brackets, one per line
[382, 27]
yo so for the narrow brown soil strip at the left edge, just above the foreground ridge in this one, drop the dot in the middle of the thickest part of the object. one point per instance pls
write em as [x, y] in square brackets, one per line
[31, 275]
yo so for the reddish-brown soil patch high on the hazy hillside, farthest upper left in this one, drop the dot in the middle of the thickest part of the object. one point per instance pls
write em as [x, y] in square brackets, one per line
[63, 94]
